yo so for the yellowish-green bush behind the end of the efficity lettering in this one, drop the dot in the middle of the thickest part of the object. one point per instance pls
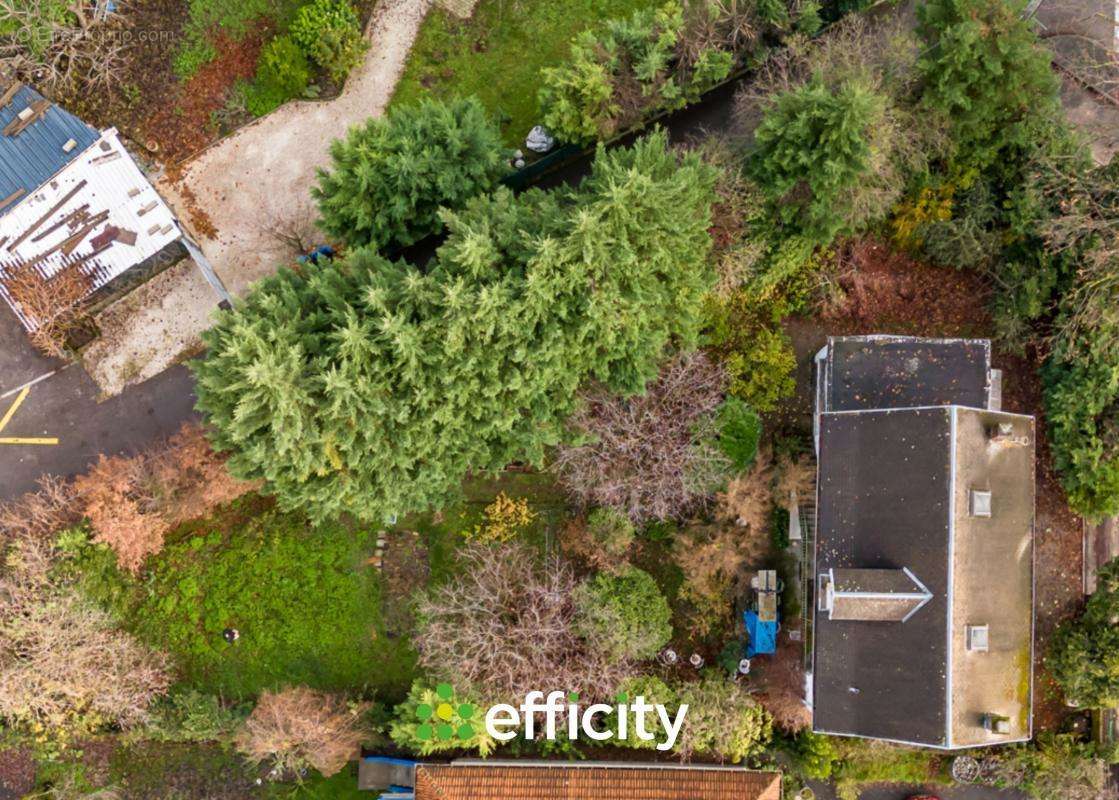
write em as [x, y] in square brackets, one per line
[723, 720]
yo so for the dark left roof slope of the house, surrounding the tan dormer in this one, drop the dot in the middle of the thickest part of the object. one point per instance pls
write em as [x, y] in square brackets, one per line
[883, 503]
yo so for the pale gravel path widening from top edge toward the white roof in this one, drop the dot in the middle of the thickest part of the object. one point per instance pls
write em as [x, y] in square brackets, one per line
[260, 178]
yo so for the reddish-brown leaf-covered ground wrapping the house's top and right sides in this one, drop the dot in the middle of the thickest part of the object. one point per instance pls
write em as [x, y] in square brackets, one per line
[883, 291]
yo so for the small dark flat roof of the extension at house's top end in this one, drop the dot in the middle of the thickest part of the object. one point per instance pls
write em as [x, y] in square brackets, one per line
[906, 372]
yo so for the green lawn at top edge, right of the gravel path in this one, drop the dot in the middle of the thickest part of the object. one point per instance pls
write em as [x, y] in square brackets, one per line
[499, 53]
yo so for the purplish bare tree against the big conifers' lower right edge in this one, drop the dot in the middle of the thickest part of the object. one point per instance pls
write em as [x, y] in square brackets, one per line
[651, 457]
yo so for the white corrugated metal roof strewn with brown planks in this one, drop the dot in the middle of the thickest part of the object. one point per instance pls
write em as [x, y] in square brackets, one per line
[104, 184]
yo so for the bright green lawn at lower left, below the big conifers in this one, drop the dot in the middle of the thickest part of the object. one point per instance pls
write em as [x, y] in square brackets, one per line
[305, 601]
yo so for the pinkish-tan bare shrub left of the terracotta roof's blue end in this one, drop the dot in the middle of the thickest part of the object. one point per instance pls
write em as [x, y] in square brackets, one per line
[300, 728]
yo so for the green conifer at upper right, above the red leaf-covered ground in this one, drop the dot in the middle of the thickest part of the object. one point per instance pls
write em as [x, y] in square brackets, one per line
[813, 149]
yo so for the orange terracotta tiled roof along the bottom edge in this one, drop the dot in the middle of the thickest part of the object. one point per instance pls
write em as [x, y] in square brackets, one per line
[506, 782]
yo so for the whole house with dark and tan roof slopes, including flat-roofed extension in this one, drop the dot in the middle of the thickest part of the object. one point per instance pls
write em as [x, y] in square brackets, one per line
[924, 597]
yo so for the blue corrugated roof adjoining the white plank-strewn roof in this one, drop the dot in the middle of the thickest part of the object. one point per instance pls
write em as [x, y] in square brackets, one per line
[30, 161]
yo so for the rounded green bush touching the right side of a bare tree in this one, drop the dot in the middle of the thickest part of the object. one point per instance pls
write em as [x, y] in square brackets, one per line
[625, 614]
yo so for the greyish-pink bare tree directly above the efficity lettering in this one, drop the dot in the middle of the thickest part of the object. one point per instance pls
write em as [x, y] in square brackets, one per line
[506, 625]
